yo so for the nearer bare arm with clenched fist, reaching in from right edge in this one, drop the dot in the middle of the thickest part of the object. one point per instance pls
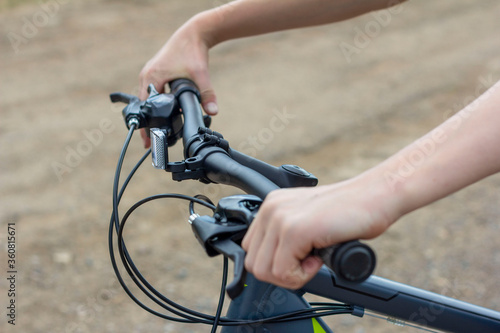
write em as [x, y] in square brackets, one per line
[291, 222]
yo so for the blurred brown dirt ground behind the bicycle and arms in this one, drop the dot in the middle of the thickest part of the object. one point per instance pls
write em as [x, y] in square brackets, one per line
[353, 93]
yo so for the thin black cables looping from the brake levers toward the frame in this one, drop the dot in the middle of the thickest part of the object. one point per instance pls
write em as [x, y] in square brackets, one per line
[184, 314]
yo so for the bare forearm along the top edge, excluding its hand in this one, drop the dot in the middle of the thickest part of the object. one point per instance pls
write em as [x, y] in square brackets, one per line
[243, 18]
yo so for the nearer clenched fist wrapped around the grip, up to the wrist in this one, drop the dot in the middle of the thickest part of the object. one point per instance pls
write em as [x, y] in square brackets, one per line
[291, 222]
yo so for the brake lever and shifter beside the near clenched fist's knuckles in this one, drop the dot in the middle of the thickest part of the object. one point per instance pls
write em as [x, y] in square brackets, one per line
[222, 234]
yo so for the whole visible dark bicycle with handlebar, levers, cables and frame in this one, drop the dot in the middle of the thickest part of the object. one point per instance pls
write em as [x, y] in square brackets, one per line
[209, 158]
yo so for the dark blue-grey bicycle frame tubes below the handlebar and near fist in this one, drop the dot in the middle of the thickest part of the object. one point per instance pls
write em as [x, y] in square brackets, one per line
[392, 299]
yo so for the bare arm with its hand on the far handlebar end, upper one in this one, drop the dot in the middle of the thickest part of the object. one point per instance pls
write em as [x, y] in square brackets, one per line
[186, 52]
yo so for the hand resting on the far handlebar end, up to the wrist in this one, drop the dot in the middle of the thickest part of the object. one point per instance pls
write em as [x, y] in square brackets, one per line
[185, 55]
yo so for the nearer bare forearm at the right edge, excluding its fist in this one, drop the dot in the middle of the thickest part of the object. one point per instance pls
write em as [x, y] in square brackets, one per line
[459, 152]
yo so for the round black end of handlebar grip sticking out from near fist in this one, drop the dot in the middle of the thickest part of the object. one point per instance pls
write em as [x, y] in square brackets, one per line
[352, 261]
